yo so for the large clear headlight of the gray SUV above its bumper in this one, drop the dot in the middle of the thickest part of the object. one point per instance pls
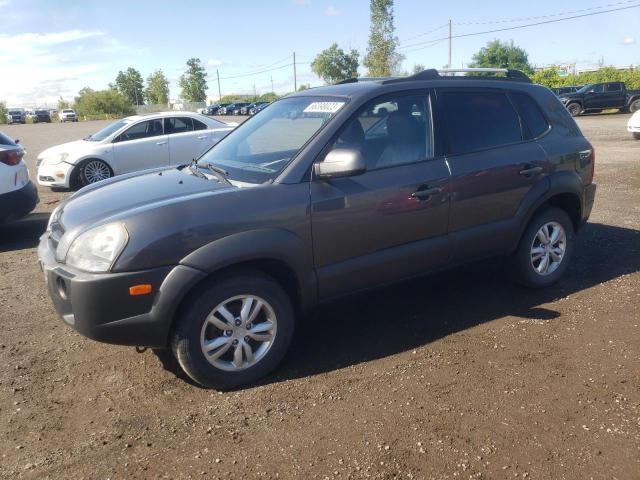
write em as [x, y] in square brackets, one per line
[96, 250]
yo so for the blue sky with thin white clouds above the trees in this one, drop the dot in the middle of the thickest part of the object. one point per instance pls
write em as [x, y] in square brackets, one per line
[54, 48]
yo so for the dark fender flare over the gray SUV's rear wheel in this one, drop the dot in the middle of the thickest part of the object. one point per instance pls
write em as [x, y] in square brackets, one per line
[562, 182]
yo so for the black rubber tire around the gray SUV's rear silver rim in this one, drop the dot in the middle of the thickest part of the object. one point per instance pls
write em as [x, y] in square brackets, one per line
[521, 262]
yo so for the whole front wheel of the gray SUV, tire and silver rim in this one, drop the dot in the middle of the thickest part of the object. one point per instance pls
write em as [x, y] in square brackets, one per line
[234, 330]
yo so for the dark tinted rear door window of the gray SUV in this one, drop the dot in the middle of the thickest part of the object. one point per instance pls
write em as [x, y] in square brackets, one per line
[479, 119]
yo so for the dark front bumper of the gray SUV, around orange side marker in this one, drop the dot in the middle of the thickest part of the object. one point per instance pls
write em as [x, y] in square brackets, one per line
[99, 306]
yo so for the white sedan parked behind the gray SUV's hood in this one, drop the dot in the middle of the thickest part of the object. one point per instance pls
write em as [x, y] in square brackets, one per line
[133, 143]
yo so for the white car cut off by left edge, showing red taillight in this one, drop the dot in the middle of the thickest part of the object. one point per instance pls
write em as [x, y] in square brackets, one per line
[18, 195]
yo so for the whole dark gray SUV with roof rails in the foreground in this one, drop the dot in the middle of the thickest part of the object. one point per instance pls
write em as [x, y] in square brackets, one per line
[327, 192]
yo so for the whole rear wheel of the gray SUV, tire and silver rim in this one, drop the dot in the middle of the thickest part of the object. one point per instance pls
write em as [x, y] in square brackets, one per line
[545, 249]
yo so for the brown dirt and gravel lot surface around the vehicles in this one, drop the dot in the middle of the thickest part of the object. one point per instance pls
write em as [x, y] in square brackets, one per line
[459, 375]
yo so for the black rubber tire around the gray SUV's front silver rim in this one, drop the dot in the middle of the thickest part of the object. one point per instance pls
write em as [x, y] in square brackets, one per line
[186, 337]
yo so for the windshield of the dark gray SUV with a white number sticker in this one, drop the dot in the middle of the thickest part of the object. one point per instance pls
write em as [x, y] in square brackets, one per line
[259, 149]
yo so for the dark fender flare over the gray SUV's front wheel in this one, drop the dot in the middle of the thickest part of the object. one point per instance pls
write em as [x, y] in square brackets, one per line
[258, 245]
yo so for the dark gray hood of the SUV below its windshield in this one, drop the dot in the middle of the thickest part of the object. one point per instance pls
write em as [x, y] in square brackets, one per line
[126, 195]
